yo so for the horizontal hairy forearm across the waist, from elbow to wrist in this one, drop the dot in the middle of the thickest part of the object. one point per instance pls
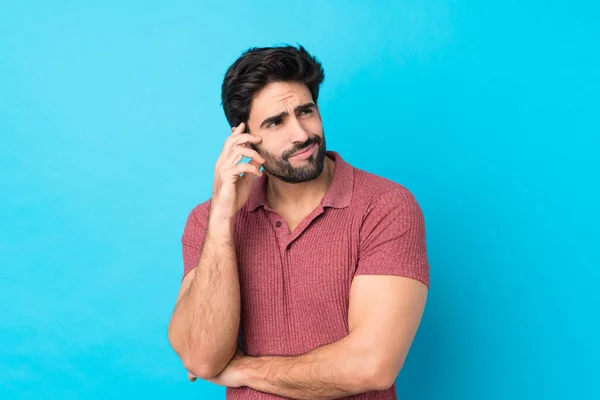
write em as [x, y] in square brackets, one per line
[339, 369]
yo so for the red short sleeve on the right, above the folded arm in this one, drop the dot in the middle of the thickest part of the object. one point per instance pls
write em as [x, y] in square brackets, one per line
[392, 238]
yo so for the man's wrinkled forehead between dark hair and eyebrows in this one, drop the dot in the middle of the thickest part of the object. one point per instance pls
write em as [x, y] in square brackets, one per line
[277, 97]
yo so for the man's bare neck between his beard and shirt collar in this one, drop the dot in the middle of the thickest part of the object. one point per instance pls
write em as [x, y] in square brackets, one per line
[283, 196]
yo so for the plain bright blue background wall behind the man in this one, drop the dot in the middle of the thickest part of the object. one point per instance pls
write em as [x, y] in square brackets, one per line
[110, 125]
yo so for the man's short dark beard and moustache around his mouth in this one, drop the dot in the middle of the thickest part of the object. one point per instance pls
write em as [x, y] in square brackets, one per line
[281, 168]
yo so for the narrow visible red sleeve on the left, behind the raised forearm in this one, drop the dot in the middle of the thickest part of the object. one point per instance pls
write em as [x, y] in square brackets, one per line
[193, 236]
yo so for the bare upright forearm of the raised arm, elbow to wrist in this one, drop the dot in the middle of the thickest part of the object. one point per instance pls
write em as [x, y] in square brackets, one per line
[205, 323]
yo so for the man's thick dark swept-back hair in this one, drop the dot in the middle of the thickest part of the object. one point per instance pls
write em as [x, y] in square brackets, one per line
[259, 66]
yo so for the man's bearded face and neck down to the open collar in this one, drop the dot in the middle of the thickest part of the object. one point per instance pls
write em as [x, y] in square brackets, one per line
[295, 186]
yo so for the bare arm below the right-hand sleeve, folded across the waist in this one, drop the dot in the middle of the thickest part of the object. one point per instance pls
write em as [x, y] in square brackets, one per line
[384, 314]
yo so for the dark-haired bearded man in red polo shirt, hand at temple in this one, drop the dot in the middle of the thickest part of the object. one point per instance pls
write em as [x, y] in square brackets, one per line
[305, 280]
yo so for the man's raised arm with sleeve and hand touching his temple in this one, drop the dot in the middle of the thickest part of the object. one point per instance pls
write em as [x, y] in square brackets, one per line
[204, 327]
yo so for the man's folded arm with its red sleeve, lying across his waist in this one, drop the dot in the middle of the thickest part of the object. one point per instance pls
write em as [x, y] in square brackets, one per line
[387, 299]
